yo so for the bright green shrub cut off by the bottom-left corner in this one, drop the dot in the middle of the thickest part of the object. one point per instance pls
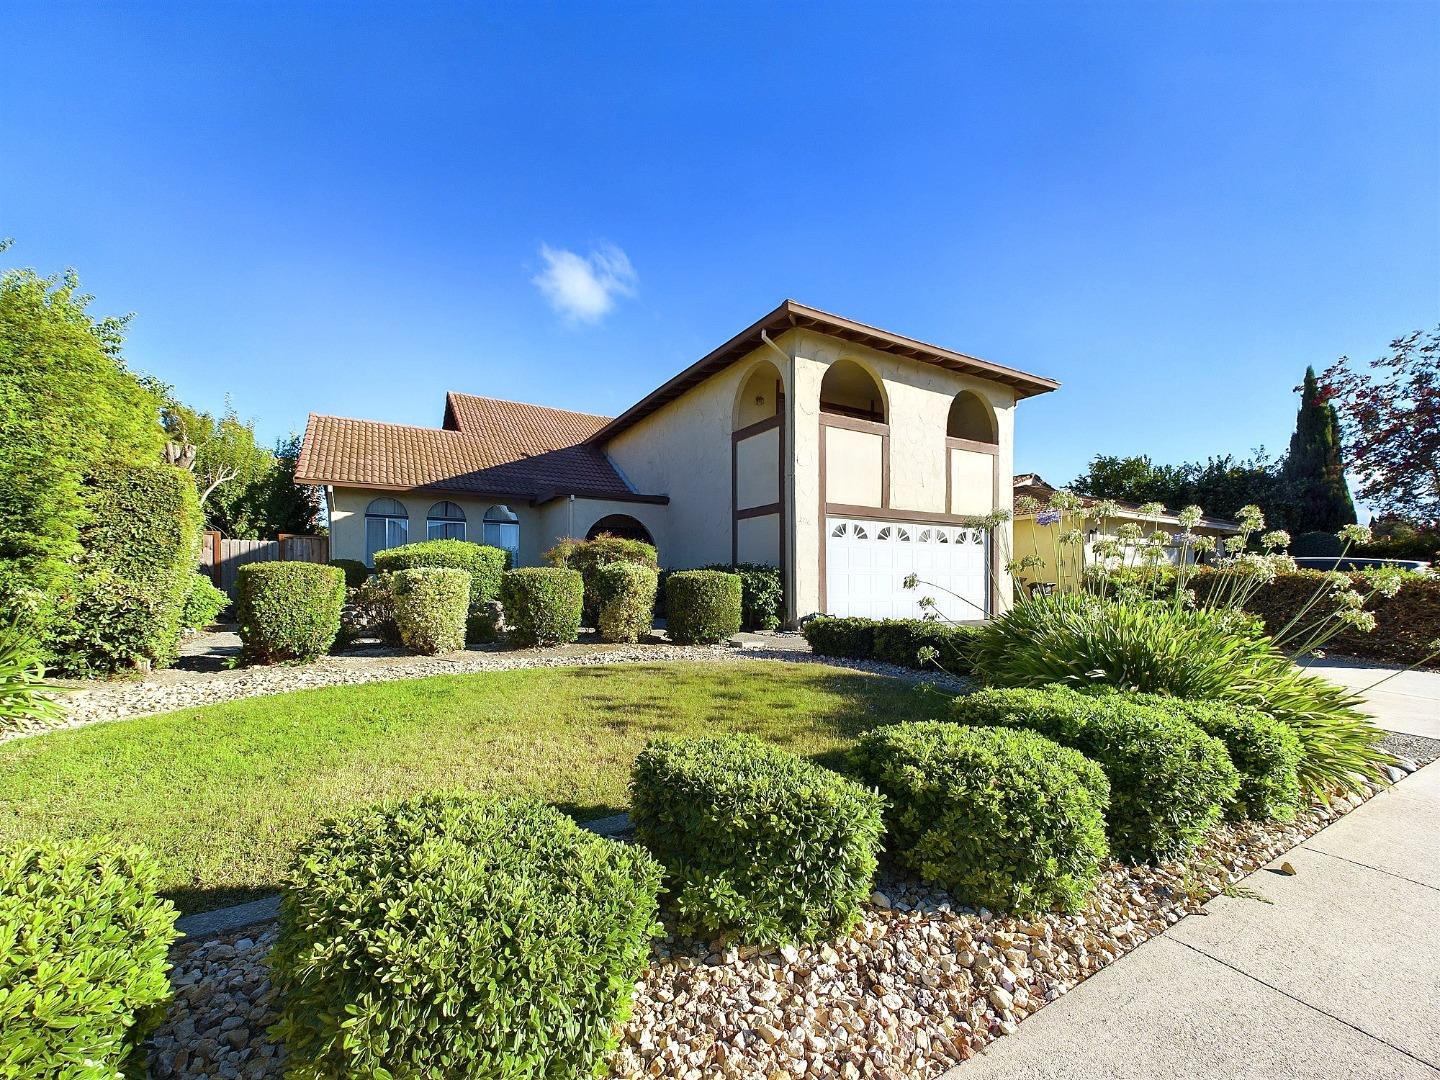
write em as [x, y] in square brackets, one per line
[83, 958]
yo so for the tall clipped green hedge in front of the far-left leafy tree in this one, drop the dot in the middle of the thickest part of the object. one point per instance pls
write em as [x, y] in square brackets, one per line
[142, 541]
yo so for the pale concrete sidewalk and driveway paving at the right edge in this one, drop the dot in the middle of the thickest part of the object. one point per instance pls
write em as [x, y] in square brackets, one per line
[1337, 978]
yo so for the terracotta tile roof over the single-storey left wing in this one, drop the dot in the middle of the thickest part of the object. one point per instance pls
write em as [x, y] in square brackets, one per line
[487, 447]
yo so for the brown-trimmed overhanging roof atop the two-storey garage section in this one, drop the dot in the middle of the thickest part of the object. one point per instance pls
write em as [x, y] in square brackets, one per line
[791, 316]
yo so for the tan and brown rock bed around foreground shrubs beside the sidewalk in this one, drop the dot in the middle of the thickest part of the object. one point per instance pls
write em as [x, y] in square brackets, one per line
[921, 986]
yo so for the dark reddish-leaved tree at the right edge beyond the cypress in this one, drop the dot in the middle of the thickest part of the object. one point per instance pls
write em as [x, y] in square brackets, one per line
[1392, 426]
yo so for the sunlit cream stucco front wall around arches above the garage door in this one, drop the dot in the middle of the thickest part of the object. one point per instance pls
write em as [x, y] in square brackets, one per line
[918, 400]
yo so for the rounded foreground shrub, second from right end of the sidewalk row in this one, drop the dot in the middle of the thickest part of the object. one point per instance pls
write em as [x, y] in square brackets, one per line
[1170, 781]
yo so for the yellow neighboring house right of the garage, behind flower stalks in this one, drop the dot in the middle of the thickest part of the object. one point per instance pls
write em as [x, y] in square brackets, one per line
[1039, 534]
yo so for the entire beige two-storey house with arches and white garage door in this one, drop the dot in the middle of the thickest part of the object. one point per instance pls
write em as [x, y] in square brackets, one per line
[846, 456]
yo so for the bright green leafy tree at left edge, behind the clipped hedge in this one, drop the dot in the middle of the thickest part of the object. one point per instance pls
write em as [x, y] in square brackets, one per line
[68, 404]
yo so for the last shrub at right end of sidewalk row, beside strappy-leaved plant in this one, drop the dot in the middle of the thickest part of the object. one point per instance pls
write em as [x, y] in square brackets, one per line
[1265, 752]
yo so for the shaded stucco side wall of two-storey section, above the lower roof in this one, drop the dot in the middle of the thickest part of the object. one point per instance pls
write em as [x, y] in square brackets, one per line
[683, 451]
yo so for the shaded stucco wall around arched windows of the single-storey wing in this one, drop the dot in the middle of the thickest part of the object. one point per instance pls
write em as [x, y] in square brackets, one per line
[539, 526]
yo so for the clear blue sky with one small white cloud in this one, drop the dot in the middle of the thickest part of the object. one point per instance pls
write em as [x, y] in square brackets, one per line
[355, 208]
